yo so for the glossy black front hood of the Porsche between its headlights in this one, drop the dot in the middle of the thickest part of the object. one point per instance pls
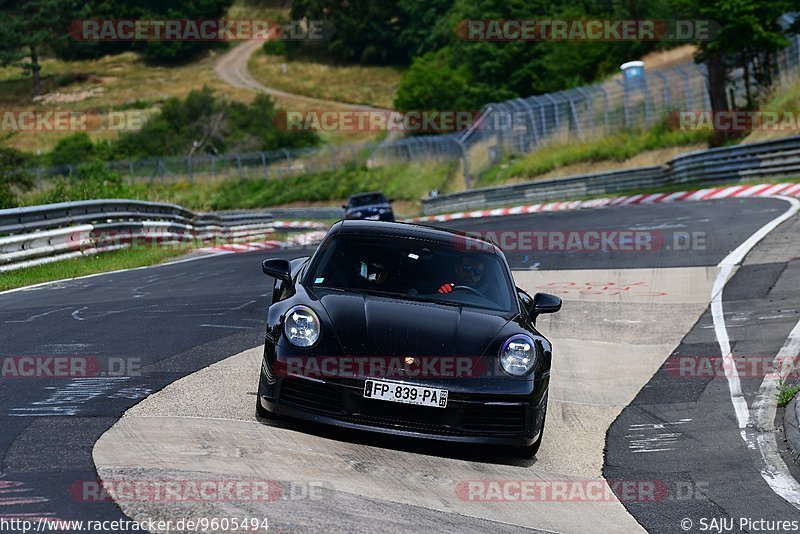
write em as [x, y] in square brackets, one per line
[367, 325]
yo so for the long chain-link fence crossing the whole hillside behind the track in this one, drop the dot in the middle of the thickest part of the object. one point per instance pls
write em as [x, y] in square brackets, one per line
[521, 125]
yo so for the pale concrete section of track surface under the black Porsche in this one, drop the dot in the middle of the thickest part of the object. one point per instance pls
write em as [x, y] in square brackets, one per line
[616, 329]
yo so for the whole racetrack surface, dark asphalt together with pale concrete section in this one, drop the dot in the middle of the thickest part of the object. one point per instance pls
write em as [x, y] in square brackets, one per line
[614, 334]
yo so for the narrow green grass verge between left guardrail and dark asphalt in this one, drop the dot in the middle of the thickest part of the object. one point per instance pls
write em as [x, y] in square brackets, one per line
[109, 261]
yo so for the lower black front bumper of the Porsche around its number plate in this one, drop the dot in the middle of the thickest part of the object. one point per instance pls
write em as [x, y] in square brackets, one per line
[488, 418]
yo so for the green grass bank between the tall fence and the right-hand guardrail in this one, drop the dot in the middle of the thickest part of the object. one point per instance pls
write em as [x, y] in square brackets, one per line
[615, 148]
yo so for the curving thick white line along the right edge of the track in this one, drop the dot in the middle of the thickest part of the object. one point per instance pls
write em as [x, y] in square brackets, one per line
[774, 470]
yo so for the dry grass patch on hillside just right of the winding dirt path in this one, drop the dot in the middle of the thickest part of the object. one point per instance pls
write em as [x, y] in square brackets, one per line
[354, 84]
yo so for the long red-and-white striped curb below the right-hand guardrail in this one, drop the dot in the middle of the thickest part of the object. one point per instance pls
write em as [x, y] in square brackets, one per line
[714, 193]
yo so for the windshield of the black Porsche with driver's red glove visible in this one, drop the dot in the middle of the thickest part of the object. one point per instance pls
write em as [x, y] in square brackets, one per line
[413, 269]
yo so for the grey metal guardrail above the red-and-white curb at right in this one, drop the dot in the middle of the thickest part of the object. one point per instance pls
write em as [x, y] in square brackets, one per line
[775, 159]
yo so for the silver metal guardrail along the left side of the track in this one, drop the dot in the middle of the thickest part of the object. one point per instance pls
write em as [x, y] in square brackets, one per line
[37, 235]
